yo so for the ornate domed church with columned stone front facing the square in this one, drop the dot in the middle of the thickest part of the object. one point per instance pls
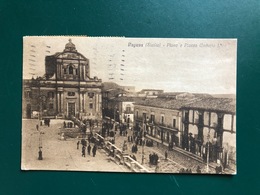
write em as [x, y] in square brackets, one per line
[65, 90]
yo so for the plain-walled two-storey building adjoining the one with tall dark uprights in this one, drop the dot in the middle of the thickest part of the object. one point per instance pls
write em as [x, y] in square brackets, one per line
[161, 119]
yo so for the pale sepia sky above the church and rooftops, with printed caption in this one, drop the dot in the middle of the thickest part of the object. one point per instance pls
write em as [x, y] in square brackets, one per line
[174, 65]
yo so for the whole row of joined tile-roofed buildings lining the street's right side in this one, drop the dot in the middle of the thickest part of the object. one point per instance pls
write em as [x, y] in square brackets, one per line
[197, 123]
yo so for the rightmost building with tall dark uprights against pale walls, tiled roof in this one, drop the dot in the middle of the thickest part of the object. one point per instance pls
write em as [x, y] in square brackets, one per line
[209, 127]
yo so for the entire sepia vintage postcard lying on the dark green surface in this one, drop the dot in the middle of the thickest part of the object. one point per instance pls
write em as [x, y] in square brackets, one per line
[115, 104]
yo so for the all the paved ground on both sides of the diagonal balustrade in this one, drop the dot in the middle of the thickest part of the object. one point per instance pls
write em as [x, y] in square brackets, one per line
[63, 154]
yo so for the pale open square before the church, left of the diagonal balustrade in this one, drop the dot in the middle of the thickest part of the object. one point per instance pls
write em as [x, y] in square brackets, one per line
[59, 154]
